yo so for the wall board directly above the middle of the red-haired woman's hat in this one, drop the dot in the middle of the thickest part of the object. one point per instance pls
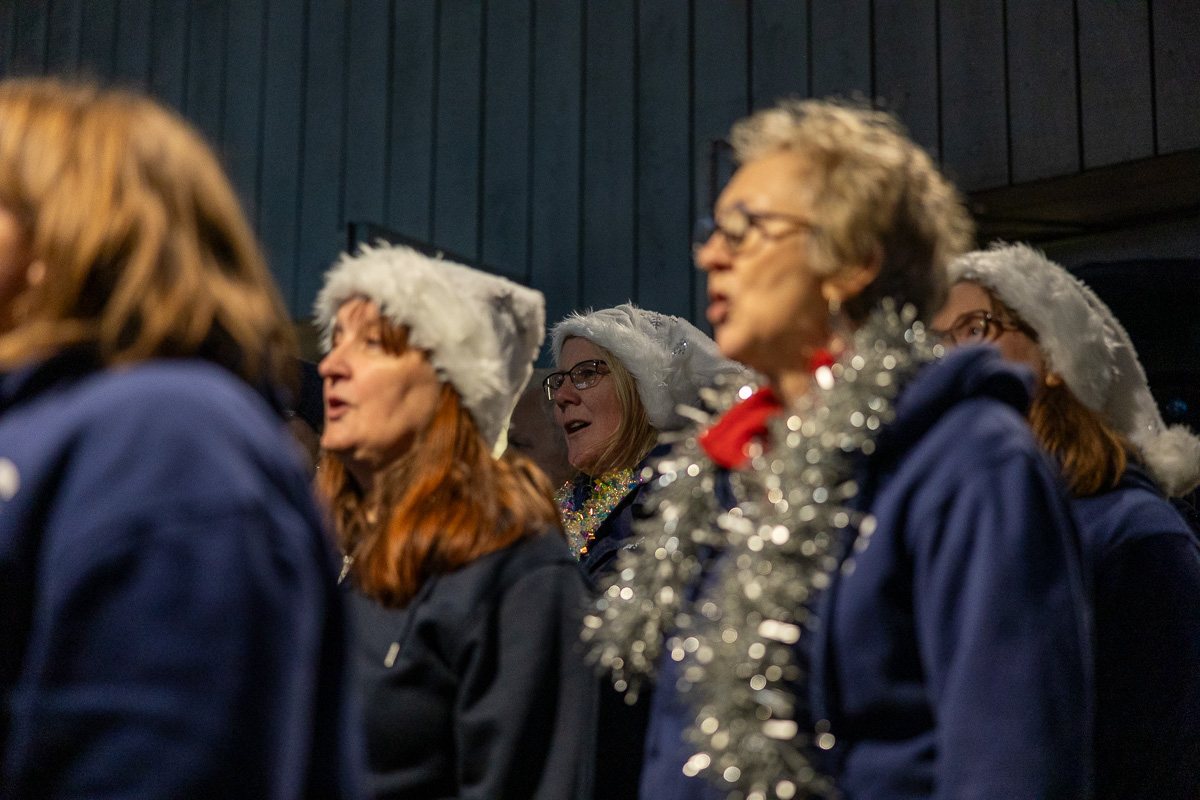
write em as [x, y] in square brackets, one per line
[411, 152]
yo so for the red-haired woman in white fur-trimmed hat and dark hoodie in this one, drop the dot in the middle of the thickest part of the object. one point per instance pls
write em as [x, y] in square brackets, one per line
[466, 596]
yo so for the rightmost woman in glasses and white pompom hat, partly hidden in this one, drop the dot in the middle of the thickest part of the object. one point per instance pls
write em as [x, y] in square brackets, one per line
[1094, 413]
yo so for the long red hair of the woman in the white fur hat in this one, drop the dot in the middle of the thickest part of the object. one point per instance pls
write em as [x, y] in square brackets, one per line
[445, 504]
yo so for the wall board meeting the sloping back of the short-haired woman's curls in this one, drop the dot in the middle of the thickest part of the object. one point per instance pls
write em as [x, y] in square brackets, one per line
[907, 67]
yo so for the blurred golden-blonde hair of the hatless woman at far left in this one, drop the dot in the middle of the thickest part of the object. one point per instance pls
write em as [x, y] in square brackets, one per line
[145, 245]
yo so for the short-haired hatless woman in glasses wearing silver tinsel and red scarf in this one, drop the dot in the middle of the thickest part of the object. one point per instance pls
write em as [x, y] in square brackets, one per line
[892, 607]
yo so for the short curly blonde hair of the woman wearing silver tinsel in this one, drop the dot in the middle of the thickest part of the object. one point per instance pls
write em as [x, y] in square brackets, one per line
[875, 195]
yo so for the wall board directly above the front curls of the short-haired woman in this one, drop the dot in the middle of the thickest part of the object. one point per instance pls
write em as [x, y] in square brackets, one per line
[779, 51]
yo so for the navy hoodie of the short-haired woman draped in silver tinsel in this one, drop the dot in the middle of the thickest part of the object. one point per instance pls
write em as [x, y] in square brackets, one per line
[953, 659]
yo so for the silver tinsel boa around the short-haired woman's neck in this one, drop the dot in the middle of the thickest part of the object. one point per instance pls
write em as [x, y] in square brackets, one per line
[778, 548]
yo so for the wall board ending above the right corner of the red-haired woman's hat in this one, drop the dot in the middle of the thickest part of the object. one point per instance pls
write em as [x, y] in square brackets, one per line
[505, 212]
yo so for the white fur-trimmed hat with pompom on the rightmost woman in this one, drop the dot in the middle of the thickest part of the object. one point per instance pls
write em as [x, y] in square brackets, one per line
[1085, 345]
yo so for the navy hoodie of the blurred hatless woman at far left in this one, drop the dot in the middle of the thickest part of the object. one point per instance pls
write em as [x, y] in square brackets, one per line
[170, 623]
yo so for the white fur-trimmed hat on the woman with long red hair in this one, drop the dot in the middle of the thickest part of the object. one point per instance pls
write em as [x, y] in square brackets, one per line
[482, 332]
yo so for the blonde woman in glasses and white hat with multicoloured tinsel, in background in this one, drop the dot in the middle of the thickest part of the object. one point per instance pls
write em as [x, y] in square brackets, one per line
[623, 372]
